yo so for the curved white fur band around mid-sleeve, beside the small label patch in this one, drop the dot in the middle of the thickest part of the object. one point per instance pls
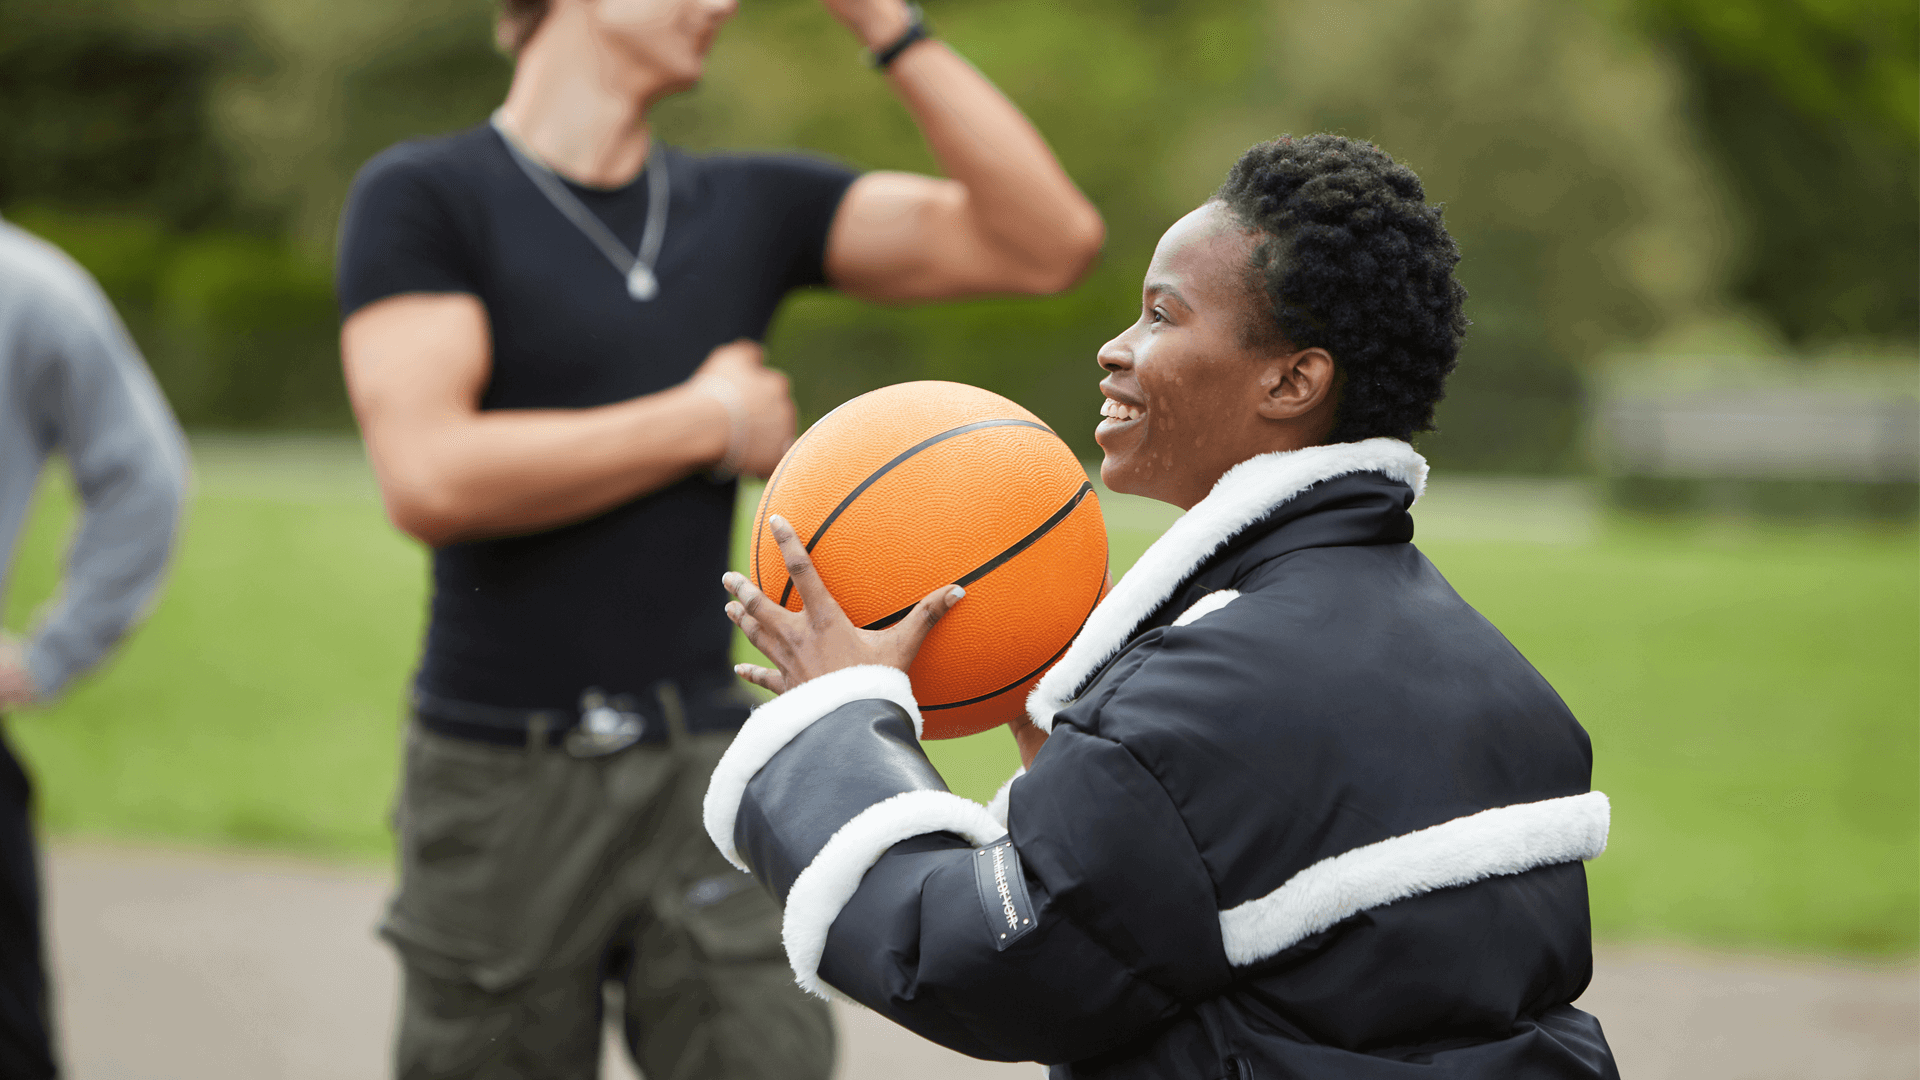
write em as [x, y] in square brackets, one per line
[830, 881]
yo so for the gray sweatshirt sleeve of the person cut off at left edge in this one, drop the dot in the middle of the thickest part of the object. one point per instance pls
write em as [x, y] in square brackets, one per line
[99, 405]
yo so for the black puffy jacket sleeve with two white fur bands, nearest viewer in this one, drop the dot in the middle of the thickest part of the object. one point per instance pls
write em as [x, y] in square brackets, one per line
[1086, 927]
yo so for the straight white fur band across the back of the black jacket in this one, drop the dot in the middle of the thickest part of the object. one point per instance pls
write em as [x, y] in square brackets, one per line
[1506, 841]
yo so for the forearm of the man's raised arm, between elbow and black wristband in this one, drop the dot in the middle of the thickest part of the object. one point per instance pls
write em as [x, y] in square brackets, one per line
[1017, 191]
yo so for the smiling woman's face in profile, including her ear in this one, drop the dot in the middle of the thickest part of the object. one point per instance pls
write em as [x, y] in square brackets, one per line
[1188, 395]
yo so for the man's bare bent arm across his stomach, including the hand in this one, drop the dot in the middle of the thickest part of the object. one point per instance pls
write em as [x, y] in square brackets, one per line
[450, 472]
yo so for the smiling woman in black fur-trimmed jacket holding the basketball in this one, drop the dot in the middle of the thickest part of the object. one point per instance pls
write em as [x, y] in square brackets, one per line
[1291, 806]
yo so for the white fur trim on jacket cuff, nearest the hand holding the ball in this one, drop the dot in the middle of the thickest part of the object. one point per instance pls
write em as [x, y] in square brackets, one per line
[773, 727]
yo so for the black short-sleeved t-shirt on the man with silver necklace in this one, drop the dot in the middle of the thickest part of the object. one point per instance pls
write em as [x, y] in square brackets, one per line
[631, 597]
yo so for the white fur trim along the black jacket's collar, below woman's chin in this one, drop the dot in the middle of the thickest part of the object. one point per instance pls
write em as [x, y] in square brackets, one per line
[1239, 499]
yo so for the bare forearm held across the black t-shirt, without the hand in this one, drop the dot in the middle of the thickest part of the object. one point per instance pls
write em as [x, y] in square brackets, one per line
[510, 472]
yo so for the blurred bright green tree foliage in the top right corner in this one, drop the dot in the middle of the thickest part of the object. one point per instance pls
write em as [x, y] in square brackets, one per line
[1813, 112]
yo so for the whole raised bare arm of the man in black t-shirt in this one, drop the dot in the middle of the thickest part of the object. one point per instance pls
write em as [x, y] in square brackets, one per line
[1007, 220]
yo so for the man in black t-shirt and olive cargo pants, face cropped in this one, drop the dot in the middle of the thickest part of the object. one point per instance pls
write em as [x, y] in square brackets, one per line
[550, 339]
